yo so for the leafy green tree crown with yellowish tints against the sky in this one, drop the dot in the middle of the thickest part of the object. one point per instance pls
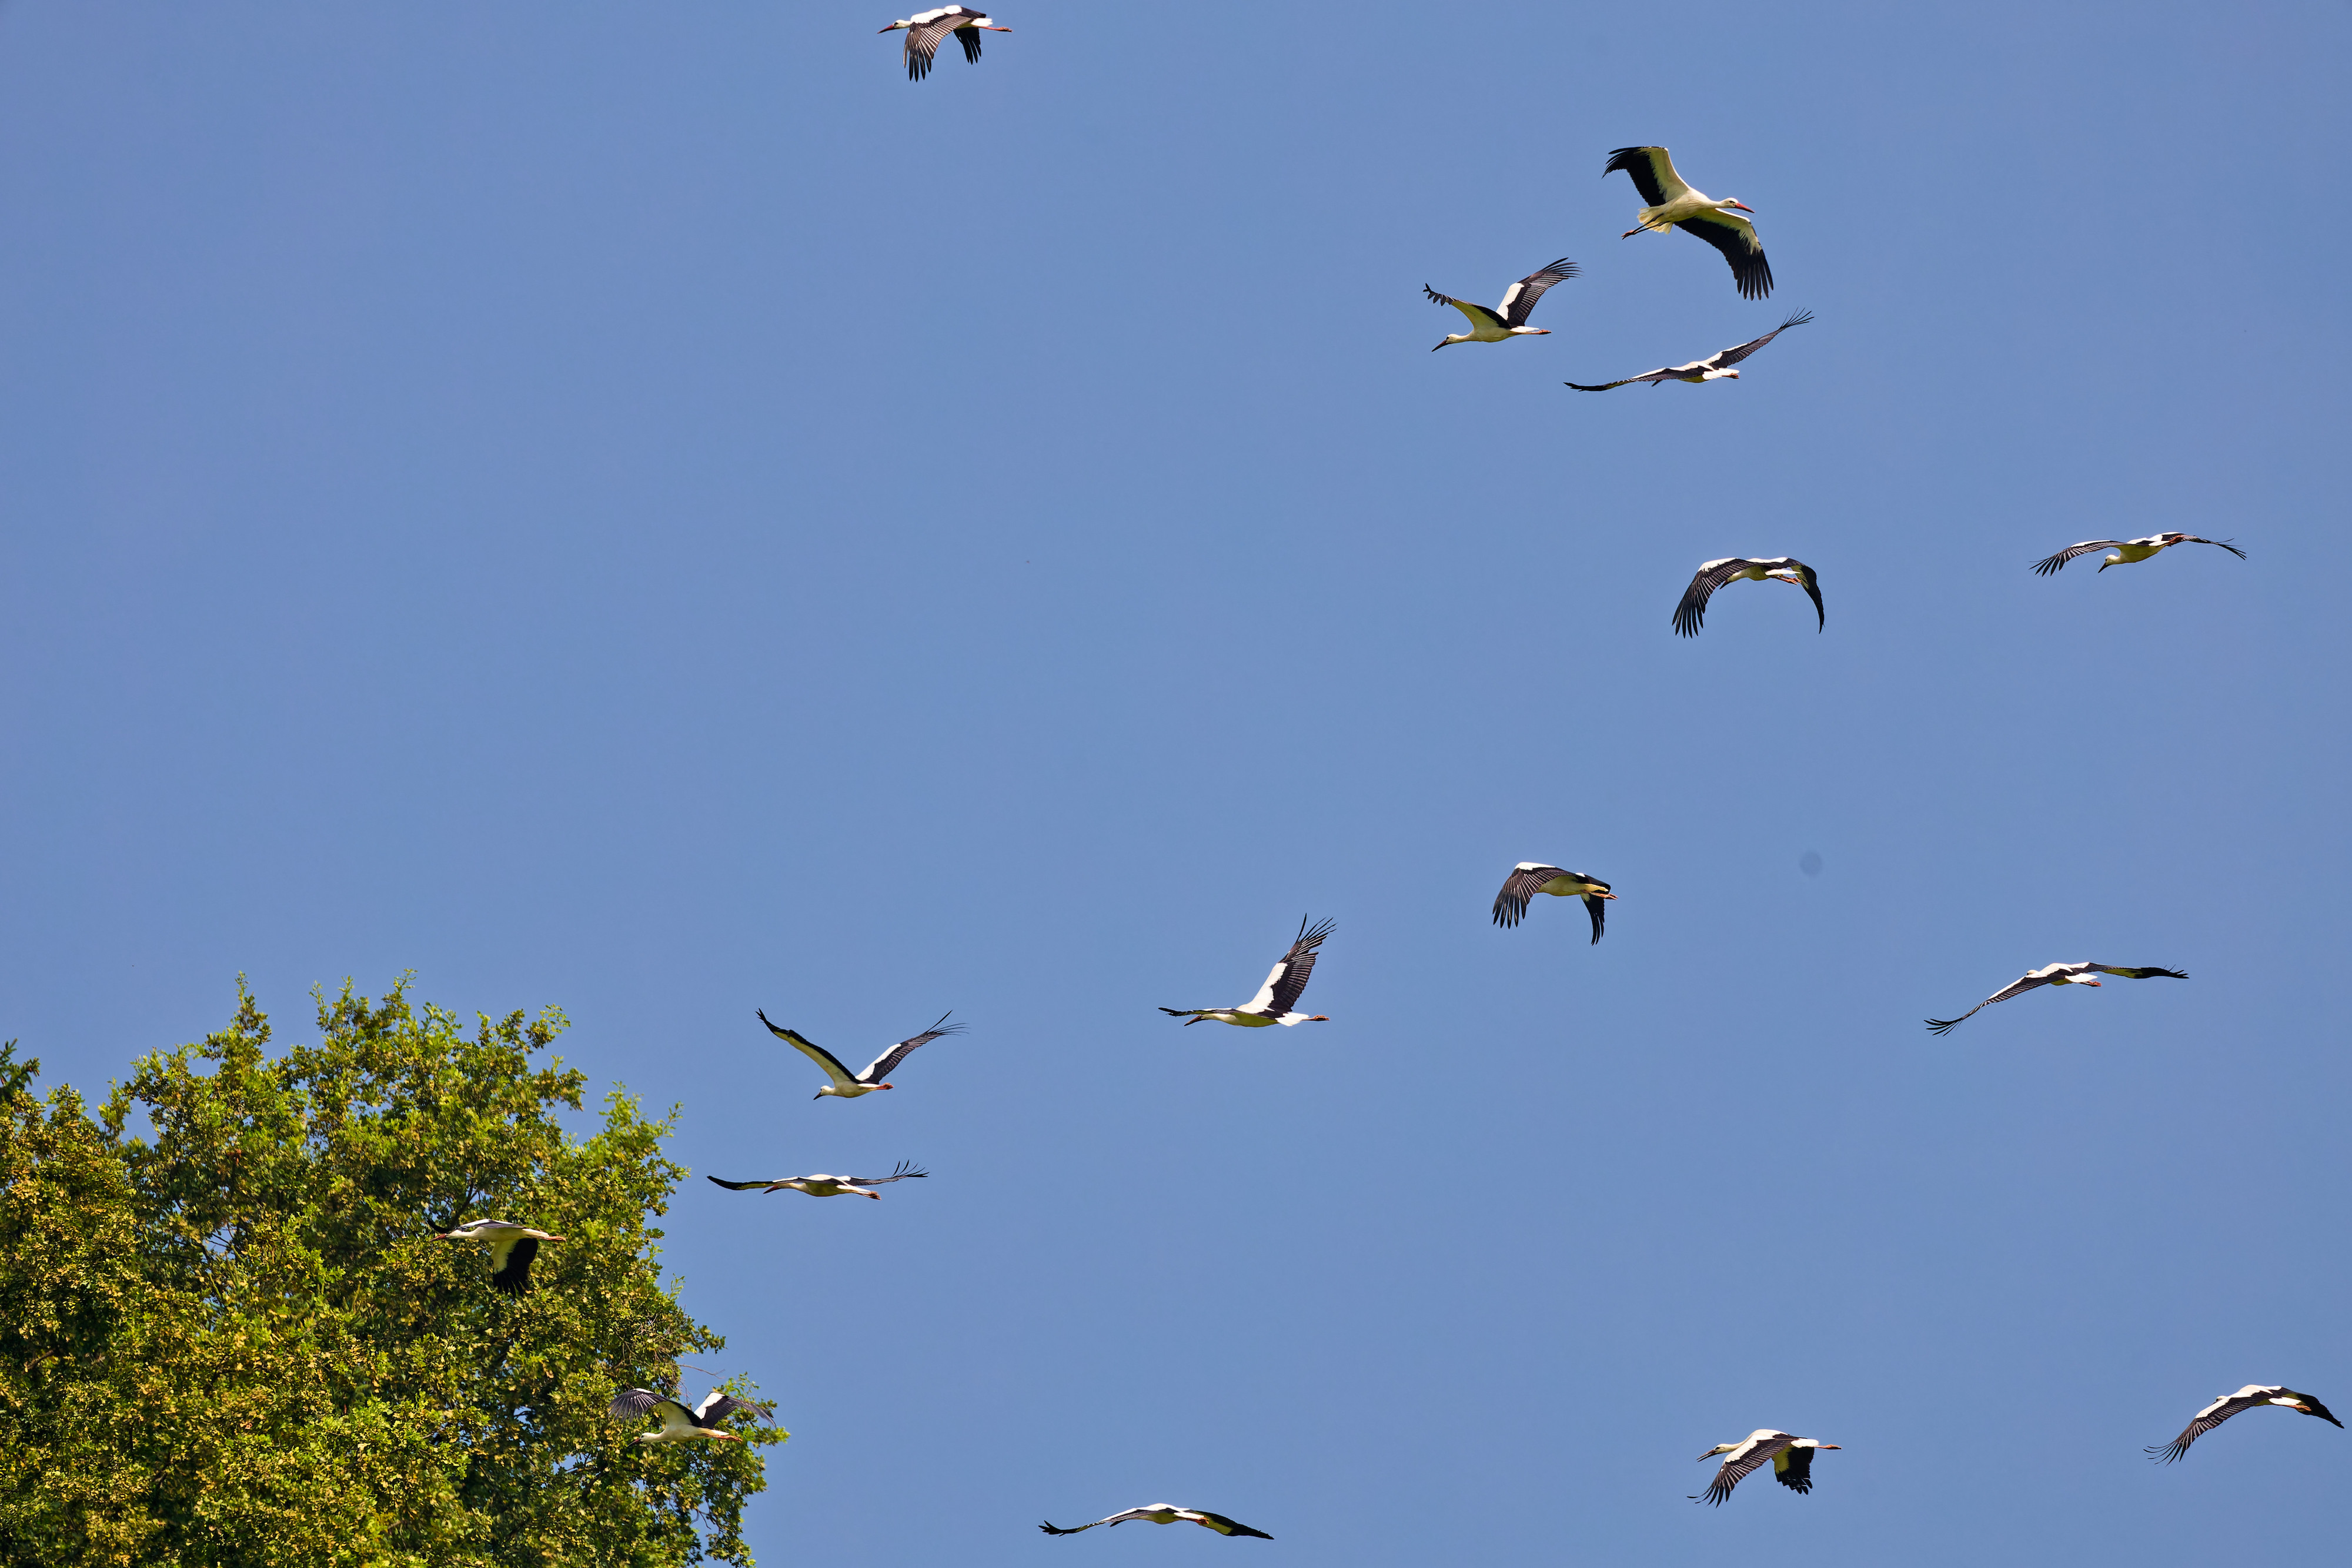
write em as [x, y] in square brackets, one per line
[236, 1341]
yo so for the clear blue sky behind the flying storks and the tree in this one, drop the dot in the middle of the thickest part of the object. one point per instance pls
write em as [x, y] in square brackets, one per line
[641, 509]
